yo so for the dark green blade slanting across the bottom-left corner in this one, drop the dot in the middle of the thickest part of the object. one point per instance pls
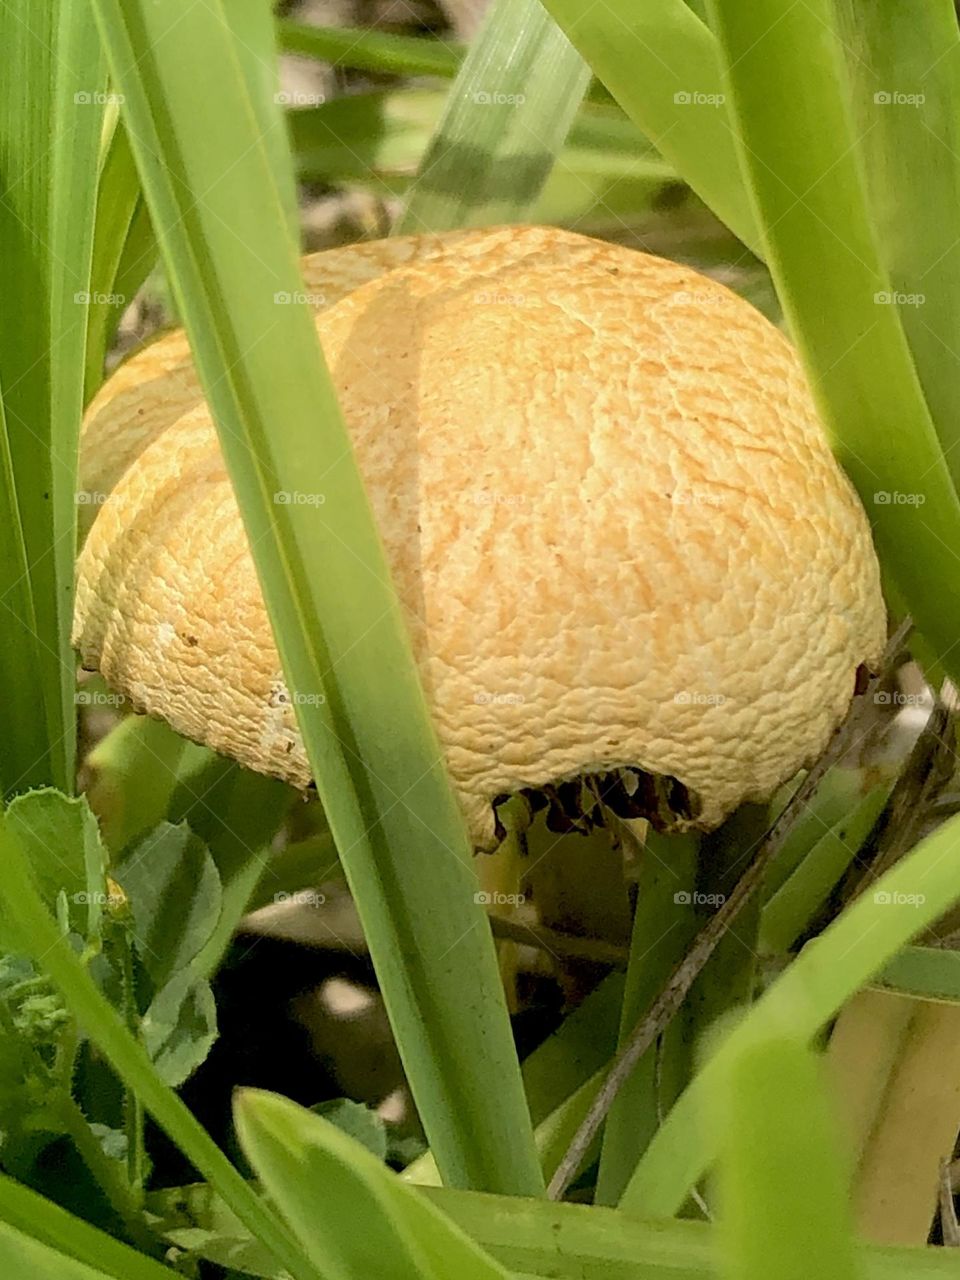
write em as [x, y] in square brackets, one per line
[31, 1214]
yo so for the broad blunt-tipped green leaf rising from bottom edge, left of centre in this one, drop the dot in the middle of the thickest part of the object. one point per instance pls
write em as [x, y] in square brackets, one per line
[349, 1210]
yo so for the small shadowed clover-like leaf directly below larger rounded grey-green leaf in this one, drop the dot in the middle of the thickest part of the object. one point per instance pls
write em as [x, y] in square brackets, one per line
[180, 1027]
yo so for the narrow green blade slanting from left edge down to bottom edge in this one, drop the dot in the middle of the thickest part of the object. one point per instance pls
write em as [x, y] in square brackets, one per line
[42, 939]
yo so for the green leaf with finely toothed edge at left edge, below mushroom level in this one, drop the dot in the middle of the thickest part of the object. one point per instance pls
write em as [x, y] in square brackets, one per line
[62, 840]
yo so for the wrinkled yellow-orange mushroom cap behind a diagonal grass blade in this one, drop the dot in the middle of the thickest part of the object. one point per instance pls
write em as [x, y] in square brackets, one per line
[611, 513]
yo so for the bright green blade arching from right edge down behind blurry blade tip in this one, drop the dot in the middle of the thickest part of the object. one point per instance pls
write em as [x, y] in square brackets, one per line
[813, 990]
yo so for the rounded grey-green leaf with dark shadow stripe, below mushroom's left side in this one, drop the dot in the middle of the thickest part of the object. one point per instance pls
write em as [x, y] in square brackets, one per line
[175, 894]
